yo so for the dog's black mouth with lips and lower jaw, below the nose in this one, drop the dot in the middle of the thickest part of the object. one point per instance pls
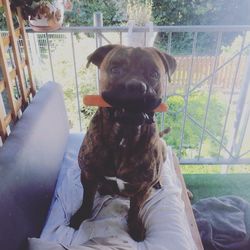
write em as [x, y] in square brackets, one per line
[133, 109]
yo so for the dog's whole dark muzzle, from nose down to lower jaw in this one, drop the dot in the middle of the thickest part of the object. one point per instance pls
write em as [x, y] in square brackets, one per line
[132, 102]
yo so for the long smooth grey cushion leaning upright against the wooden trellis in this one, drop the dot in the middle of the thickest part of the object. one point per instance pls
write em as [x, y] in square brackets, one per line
[29, 164]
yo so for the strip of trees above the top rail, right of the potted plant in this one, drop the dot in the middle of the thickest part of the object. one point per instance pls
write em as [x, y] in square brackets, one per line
[201, 12]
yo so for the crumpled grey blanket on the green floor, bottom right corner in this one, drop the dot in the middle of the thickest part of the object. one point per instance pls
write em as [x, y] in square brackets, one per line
[223, 222]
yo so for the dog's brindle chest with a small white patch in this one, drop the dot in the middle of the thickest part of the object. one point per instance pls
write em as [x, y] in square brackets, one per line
[125, 154]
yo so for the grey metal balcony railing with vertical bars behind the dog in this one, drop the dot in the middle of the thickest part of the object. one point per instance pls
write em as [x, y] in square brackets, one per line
[208, 98]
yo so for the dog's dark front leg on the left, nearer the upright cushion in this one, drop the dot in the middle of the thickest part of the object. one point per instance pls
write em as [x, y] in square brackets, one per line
[85, 211]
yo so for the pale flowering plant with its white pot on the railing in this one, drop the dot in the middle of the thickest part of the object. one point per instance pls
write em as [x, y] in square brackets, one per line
[139, 14]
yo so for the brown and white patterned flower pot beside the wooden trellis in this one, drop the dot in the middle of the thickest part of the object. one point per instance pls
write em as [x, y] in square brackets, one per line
[49, 17]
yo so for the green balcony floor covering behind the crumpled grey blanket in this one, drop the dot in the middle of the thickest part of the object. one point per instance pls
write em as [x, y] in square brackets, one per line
[215, 185]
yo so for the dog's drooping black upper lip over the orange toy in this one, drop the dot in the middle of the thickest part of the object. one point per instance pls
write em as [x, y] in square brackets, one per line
[132, 103]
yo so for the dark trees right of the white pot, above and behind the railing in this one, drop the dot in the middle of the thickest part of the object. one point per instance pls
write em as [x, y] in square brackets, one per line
[199, 12]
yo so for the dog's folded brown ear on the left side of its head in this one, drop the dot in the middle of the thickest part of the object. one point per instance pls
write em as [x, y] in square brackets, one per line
[98, 55]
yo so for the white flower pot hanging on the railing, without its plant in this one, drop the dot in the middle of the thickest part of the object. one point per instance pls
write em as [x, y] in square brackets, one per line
[139, 39]
